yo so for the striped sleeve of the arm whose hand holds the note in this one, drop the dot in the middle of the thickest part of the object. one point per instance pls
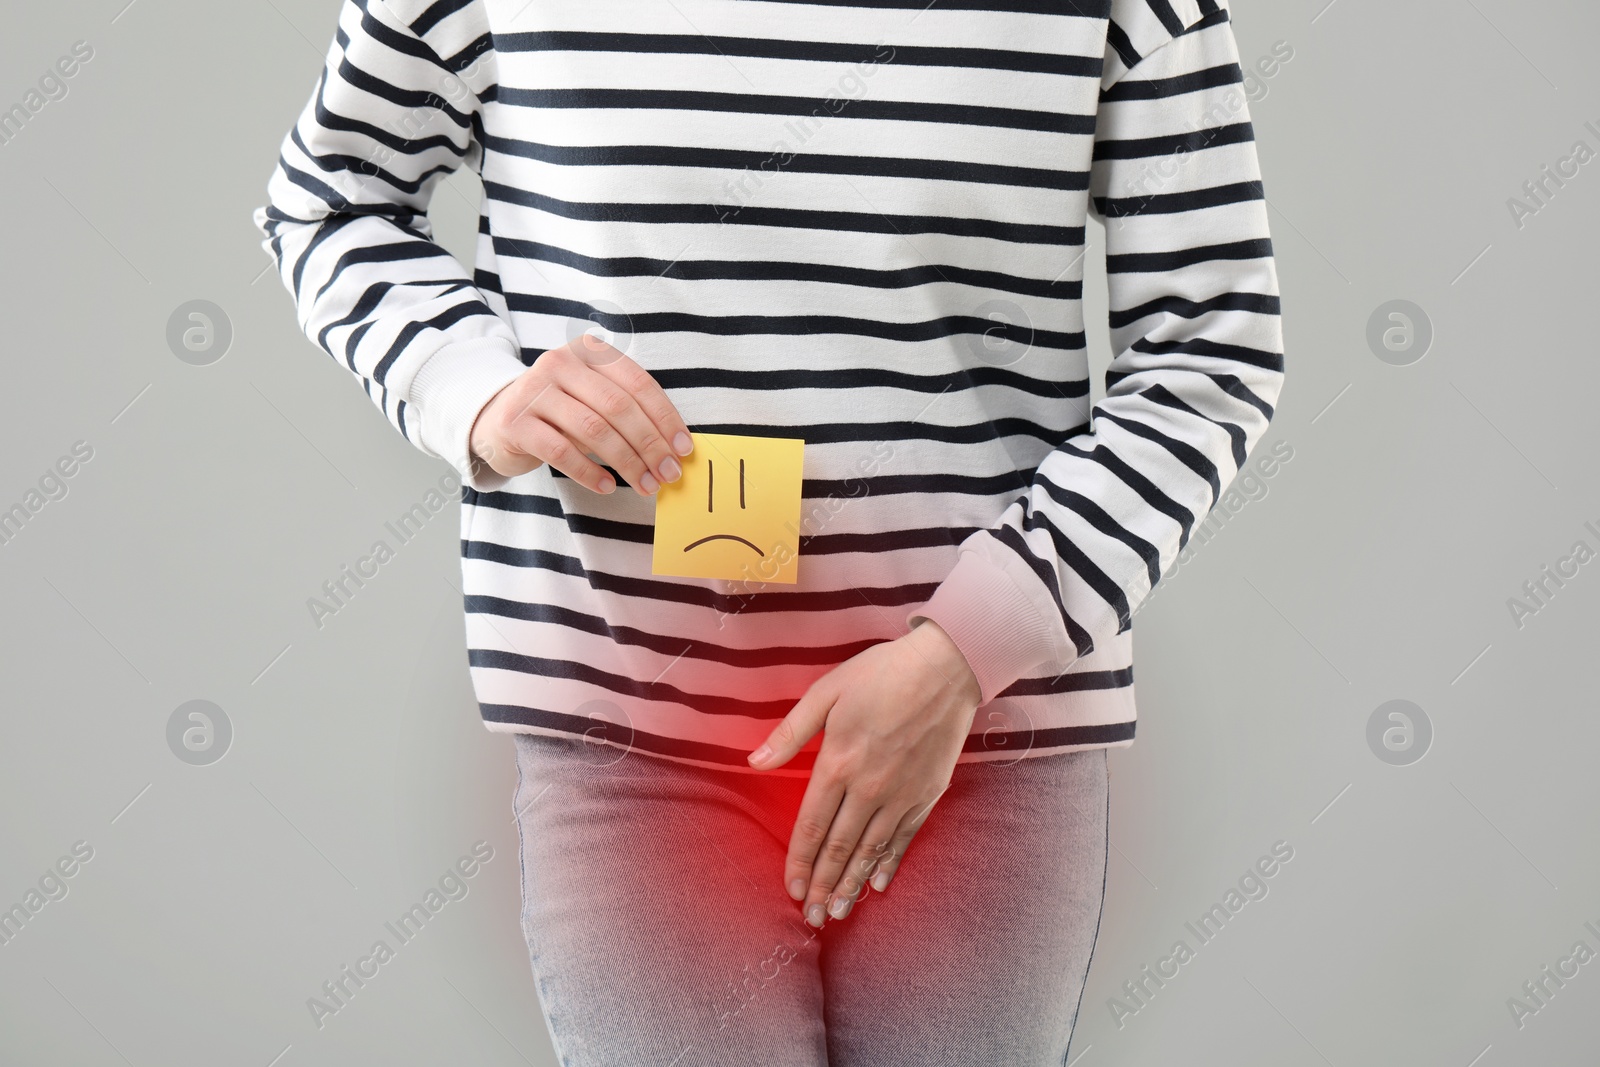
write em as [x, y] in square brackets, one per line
[346, 225]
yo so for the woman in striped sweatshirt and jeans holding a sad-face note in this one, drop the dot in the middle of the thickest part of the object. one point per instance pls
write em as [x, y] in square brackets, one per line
[858, 226]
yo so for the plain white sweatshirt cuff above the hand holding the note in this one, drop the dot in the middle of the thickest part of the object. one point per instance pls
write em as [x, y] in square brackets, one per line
[450, 390]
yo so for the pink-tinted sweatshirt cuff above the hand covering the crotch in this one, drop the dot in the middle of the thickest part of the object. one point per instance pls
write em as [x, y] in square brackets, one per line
[993, 621]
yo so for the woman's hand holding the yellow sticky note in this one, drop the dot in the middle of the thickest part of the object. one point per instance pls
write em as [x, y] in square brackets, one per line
[585, 399]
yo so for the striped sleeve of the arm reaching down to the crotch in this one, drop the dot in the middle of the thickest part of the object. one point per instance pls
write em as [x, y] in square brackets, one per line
[1198, 359]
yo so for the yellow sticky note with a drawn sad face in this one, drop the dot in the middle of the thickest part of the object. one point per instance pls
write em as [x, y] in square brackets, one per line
[735, 513]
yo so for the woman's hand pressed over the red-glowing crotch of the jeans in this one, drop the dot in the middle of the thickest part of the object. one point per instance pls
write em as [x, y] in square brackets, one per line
[897, 719]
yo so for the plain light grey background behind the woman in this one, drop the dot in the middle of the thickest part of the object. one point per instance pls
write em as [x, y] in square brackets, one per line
[1378, 567]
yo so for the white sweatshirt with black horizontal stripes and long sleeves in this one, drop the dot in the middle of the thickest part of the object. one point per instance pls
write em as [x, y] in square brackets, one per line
[858, 223]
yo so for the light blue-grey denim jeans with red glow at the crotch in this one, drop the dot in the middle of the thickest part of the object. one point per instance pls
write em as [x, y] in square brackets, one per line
[660, 932]
